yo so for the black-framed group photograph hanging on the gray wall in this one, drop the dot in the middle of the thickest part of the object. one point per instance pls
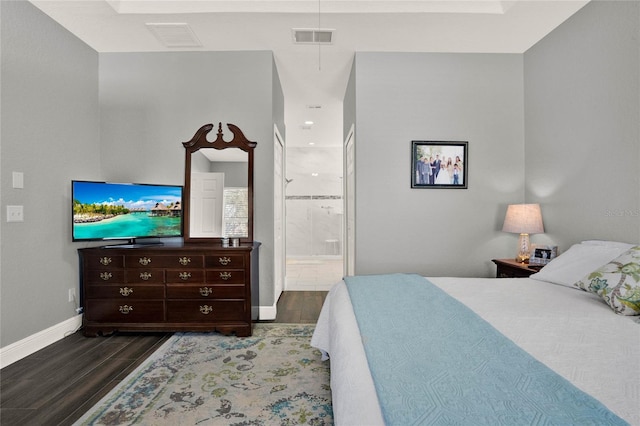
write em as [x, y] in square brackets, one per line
[439, 164]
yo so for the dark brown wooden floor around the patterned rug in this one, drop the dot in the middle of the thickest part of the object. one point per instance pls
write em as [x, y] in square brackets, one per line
[58, 384]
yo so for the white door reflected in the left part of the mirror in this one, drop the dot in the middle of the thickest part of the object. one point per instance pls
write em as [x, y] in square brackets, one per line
[207, 203]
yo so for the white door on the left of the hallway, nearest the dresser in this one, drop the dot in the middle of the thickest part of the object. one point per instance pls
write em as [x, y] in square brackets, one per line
[278, 214]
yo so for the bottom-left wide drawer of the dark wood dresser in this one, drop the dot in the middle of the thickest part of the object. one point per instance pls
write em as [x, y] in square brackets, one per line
[125, 310]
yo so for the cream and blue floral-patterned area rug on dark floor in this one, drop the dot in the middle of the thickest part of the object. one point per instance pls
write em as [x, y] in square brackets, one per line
[274, 377]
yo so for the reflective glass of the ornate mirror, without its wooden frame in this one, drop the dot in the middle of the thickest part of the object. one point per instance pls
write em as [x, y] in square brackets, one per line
[219, 205]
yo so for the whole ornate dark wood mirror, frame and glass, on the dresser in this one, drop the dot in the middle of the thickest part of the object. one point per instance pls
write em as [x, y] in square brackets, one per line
[218, 186]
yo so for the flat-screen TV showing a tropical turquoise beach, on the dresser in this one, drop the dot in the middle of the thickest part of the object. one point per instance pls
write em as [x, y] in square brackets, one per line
[125, 211]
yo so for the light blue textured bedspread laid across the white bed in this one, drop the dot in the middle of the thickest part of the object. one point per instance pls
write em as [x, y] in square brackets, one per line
[434, 362]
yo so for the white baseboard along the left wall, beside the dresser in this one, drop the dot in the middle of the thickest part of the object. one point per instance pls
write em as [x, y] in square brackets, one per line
[25, 347]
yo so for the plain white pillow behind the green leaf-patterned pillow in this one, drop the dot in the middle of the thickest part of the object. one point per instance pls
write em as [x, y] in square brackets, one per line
[577, 262]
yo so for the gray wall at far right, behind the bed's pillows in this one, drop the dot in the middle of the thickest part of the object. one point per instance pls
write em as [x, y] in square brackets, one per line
[582, 94]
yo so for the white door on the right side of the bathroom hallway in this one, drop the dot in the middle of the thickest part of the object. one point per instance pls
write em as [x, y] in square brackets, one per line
[349, 205]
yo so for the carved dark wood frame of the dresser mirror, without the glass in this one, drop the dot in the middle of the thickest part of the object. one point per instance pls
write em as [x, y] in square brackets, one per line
[199, 141]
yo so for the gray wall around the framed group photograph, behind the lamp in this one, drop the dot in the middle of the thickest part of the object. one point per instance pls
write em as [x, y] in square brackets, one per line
[400, 97]
